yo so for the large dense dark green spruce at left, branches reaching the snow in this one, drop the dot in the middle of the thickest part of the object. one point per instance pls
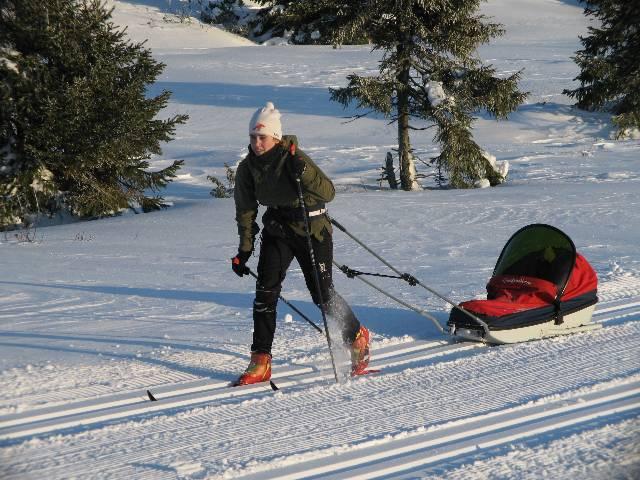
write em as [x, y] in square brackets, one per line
[76, 128]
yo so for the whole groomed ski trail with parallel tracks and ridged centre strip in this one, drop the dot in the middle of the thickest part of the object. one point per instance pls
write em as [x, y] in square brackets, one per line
[400, 421]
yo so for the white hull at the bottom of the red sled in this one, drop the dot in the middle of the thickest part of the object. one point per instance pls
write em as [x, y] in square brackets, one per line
[579, 321]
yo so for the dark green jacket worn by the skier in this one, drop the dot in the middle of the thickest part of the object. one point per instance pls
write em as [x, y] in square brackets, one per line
[267, 181]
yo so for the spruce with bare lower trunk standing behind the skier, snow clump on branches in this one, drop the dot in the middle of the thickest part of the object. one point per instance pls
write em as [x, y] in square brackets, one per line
[429, 72]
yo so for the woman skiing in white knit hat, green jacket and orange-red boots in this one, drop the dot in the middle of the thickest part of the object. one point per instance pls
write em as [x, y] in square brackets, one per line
[267, 176]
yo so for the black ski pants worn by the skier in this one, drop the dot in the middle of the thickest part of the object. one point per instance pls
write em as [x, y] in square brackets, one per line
[276, 254]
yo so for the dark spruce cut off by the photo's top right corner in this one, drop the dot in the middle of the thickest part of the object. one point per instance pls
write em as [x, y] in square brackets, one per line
[610, 63]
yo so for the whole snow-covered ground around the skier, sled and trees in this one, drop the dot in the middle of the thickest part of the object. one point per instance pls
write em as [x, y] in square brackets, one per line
[93, 314]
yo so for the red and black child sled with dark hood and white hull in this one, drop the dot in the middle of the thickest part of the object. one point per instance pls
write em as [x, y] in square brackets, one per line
[540, 287]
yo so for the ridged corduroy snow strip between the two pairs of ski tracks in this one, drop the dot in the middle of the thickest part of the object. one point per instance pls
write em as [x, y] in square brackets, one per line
[203, 422]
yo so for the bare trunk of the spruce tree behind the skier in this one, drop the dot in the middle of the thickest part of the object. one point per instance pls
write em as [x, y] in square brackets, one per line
[407, 168]
